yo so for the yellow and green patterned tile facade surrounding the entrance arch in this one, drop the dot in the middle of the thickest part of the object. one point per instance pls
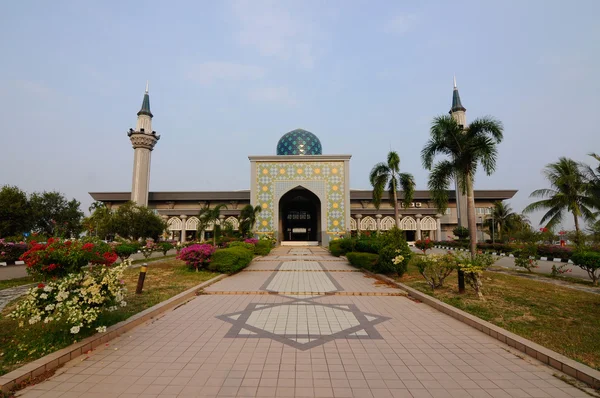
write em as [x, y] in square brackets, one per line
[325, 179]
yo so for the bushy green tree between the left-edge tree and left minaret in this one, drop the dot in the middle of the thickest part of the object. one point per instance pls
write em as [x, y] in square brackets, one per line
[54, 215]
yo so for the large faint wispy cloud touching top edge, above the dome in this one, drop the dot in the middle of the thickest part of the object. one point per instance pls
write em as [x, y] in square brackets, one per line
[274, 31]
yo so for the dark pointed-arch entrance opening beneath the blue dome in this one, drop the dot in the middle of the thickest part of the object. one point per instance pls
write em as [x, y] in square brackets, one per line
[300, 216]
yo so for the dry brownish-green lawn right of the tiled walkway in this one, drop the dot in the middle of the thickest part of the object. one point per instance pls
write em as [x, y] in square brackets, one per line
[562, 319]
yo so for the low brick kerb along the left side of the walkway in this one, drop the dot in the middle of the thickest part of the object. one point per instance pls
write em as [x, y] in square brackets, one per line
[58, 358]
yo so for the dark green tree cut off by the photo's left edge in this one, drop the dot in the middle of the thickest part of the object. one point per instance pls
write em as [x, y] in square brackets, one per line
[15, 214]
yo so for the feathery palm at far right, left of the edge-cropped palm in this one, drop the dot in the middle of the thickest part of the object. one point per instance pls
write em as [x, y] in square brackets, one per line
[569, 192]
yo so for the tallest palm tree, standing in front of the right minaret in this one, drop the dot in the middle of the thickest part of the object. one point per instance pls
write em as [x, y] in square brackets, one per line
[466, 148]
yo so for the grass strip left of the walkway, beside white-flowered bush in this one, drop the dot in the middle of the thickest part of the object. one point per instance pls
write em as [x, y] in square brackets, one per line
[164, 279]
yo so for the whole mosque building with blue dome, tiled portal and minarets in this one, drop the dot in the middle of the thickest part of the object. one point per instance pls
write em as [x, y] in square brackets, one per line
[305, 196]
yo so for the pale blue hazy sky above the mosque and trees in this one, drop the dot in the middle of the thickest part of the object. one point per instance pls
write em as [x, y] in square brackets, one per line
[228, 78]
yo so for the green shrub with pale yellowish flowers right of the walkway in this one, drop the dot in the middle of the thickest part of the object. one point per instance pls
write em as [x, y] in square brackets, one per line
[394, 254]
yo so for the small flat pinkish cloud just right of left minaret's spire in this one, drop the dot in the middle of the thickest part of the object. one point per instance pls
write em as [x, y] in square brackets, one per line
[210, 72]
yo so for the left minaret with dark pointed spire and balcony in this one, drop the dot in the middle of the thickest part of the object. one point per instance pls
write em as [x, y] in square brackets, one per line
[143, 140]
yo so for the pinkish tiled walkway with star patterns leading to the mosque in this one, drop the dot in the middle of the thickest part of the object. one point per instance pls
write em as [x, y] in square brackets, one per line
[300, 323]
